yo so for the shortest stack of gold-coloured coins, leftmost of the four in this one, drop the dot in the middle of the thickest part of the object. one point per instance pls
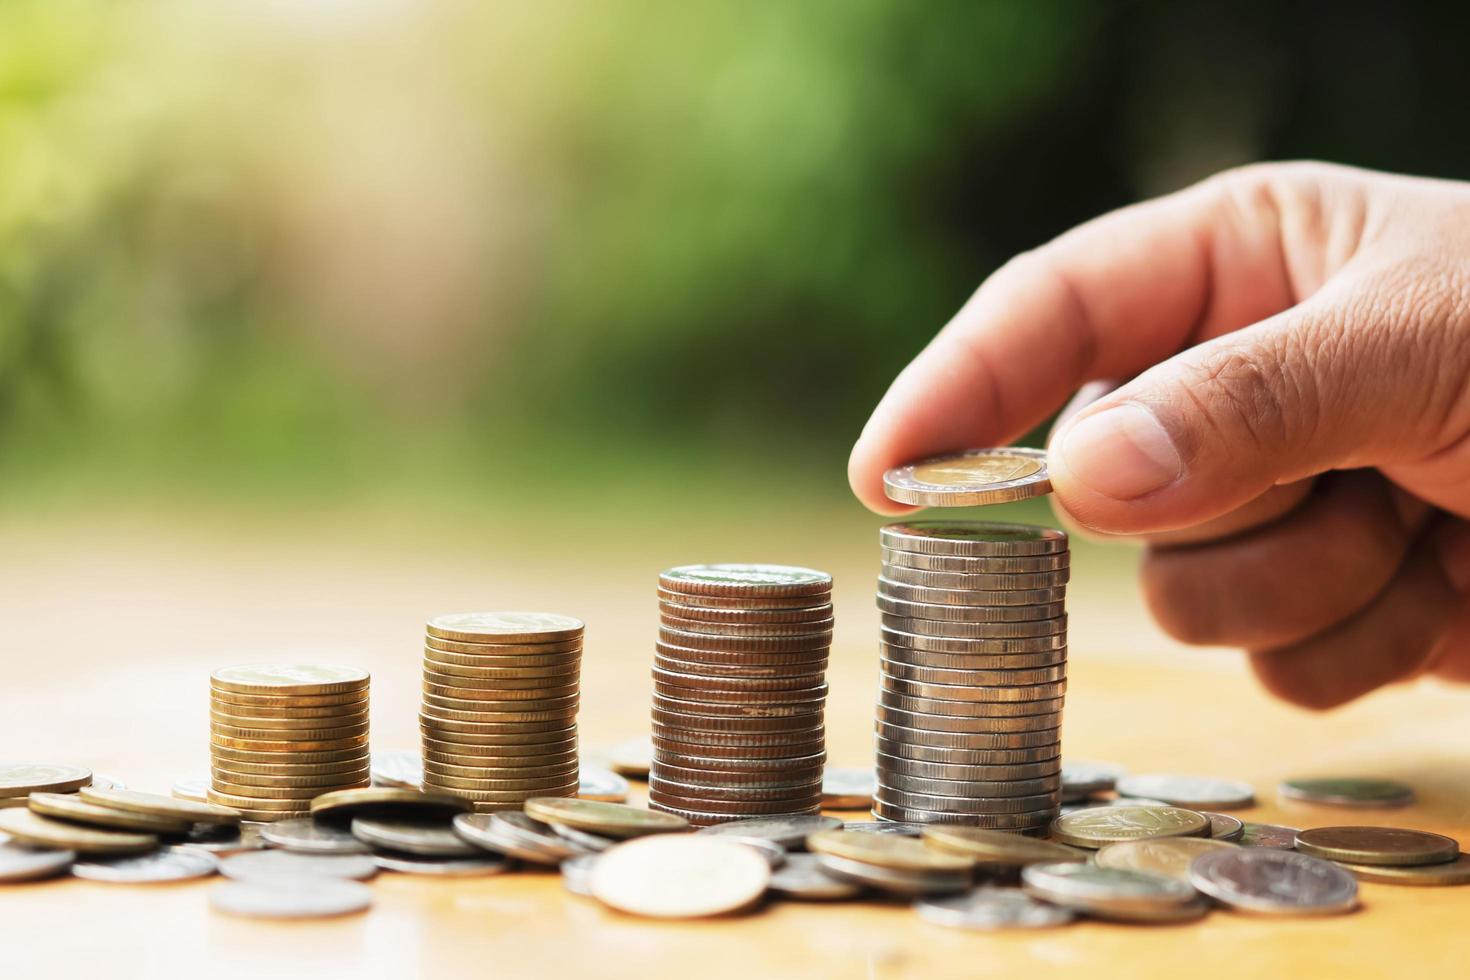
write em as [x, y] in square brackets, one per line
[282, 735]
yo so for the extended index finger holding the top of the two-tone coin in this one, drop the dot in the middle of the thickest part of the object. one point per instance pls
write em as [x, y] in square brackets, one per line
[1105, 300]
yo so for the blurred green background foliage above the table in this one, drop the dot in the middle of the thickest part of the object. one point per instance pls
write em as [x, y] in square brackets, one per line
[590, 255]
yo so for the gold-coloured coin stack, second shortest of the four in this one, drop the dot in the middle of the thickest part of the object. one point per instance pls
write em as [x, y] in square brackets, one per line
[501, 694]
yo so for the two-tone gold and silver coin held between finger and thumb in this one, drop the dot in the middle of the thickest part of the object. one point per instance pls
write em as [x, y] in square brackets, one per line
[969, 478]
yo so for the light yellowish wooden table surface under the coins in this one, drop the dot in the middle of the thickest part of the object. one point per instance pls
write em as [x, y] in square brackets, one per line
[110, 634]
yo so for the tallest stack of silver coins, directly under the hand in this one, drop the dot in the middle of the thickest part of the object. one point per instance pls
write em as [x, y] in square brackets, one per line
[974, 672]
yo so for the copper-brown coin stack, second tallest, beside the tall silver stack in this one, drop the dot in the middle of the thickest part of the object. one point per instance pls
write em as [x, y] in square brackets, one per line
[740, 691]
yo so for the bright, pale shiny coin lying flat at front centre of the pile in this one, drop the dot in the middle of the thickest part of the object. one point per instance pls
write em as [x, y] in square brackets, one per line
[680, 876]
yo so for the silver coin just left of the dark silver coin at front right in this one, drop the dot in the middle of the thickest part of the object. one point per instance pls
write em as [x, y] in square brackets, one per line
[1108, 893]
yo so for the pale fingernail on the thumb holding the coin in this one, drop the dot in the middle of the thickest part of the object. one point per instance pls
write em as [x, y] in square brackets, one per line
[1122, 453]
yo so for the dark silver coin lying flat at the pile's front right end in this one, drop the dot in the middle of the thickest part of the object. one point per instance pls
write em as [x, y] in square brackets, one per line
[1275, 882]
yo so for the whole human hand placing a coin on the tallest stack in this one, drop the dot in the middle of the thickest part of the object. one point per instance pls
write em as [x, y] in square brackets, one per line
[1293, 446]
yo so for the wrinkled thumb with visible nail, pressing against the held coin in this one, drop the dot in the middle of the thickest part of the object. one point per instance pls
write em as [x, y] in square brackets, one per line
[1340, 381]
